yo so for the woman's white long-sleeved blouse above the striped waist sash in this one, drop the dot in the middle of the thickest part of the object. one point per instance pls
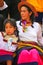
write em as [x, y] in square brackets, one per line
[32, 33]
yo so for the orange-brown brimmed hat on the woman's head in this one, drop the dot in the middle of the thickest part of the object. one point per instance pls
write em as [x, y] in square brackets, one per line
[23, 2]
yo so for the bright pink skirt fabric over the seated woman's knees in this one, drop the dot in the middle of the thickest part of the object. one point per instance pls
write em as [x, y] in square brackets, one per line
[29, 56]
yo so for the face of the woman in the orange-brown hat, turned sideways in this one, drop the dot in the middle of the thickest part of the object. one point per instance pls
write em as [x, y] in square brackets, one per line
[24, 13]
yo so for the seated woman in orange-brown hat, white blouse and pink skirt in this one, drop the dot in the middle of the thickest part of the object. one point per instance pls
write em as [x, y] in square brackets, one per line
[30, 35]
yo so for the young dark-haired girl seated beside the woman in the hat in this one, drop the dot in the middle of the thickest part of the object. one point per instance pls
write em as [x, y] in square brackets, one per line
[8, 41]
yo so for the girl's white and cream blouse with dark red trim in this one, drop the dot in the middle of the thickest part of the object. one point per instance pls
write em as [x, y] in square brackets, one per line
[8, 42]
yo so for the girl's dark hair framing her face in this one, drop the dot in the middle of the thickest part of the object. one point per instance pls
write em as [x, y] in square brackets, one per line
[13, 23]
